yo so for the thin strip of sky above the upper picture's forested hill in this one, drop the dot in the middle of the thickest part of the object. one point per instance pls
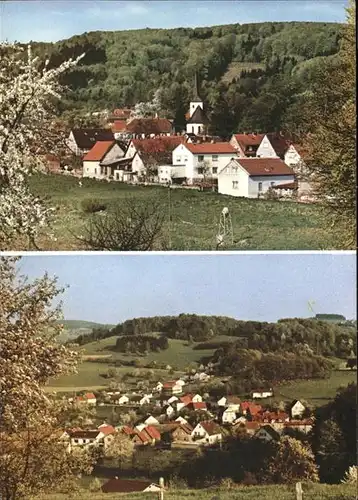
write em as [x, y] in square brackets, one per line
[51, 20]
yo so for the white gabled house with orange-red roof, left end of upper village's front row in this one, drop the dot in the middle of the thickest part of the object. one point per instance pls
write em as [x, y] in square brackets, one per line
[96, 160]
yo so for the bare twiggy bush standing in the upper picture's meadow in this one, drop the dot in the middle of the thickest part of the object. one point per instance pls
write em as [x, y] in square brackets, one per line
[134, 226]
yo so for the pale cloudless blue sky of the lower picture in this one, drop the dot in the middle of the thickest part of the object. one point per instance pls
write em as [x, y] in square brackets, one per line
[110, 288]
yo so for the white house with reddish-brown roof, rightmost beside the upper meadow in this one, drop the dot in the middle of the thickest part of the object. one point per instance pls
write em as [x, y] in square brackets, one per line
[252, 177]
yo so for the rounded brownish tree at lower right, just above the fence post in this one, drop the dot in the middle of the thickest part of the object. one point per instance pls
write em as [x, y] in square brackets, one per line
[291, 461]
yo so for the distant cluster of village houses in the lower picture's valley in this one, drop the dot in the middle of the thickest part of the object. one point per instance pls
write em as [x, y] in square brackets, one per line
[173, 418]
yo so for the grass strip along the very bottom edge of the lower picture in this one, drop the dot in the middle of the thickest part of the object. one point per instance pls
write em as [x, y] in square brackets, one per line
[279, 492]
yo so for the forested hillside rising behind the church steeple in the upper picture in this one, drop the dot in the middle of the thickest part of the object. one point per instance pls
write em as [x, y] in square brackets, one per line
[252, 76]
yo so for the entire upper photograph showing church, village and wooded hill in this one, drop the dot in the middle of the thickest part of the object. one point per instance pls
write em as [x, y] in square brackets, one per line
[177, 126]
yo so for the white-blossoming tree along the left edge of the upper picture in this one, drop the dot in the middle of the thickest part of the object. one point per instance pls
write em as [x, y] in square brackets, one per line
[28, 90]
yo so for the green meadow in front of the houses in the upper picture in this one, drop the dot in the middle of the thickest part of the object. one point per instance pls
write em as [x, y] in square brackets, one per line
[257, 224]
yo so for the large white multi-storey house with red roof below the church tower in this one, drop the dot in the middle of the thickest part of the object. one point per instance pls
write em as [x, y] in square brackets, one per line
[204, 160]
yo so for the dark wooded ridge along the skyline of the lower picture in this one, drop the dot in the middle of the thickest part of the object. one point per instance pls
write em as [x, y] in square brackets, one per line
[309, 335]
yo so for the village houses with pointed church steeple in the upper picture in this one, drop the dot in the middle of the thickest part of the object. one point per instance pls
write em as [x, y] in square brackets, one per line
[149, 150]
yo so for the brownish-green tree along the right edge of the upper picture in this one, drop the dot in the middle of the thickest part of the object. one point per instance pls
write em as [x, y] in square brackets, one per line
[331, 144]
